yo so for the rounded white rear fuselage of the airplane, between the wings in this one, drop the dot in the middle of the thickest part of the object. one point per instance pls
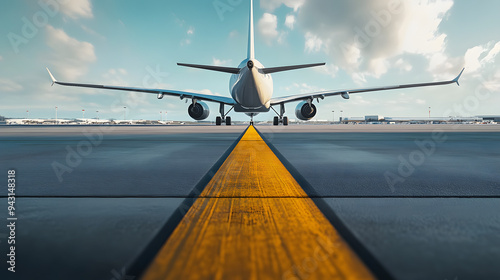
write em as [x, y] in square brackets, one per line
[251, 88]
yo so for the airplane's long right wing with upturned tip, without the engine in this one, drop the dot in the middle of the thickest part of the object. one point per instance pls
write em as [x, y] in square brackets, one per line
[346, 92]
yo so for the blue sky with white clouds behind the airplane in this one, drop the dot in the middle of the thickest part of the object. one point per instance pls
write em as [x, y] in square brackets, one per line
[364, 43]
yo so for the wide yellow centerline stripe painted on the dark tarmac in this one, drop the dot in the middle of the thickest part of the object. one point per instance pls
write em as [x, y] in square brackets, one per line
[236, 234]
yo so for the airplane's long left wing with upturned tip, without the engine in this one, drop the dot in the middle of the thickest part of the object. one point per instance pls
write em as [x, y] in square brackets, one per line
[158, 92]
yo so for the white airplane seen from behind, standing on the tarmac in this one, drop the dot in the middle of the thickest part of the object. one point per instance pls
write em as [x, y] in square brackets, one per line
[251, 88]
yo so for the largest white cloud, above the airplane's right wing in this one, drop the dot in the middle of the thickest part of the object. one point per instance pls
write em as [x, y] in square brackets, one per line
[363, 36]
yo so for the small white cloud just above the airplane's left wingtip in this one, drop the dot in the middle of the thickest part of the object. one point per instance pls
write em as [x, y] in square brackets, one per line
[70, 56]
